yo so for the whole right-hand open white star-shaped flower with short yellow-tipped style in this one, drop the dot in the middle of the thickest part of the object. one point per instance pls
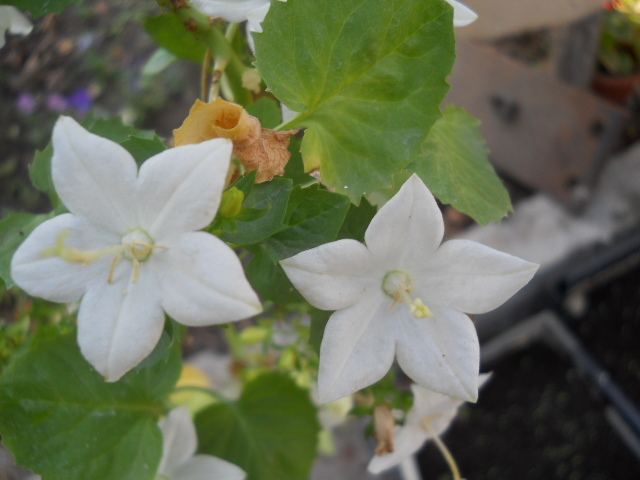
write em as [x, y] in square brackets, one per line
[404, 294]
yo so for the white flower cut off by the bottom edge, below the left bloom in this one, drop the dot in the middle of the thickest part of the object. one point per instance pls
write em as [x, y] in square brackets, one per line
[179, 446]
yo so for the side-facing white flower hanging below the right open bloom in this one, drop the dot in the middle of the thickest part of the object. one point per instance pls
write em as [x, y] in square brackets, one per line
[430, 416]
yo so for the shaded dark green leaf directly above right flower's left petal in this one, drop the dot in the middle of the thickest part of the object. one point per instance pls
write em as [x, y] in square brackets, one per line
[314, 217]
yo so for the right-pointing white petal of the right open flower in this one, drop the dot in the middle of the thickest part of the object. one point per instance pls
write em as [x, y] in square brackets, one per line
[471, 277]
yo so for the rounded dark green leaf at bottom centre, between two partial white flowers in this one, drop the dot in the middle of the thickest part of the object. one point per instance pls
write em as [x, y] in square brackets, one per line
[270, 432]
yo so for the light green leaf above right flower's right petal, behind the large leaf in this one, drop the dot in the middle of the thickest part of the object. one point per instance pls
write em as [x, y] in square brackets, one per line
[454, 165]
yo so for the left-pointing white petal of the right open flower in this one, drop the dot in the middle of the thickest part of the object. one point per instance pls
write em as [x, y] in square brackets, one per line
[332, 276]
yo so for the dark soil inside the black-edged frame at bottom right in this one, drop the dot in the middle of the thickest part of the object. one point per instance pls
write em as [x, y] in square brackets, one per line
[535, 420]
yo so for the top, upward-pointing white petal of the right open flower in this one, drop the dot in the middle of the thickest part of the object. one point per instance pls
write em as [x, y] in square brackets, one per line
[407, 229]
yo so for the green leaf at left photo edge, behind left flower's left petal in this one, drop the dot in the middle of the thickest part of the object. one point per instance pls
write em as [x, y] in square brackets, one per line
[13, 230]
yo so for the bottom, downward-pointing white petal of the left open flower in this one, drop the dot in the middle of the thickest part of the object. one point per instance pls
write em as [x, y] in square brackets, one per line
[120, 323]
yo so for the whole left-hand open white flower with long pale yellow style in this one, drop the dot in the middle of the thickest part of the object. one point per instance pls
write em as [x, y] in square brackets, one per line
[130, 246]
